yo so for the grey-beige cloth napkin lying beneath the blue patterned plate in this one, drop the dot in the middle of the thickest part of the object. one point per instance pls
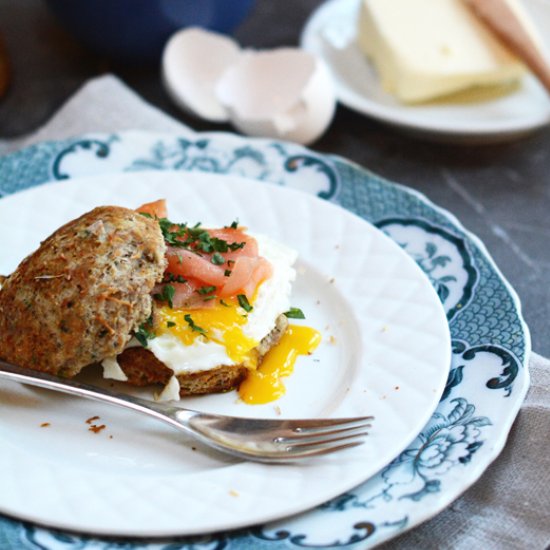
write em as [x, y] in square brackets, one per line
[509, 507]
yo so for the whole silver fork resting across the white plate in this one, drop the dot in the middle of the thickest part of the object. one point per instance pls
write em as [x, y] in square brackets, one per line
[260, 440]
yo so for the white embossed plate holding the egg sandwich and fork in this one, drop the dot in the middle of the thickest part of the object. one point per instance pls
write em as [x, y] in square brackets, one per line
[385, 351]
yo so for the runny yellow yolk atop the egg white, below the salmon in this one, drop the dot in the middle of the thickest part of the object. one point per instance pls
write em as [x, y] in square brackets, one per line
[220, 323]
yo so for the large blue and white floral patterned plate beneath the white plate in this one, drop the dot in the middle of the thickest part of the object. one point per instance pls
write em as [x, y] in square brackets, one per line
[488, 378]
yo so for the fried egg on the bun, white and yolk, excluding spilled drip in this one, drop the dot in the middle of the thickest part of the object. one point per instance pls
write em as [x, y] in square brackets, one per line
[233, 333]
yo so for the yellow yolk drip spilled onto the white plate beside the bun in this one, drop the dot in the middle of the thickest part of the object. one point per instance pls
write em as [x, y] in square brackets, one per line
[265, 384]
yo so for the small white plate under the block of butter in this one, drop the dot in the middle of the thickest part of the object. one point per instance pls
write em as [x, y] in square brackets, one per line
[475, 116]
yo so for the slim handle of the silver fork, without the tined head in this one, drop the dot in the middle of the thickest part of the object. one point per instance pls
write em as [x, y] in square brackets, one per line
[160, 411]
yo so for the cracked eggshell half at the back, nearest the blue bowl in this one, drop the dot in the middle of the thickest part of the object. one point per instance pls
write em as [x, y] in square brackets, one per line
[192, 63]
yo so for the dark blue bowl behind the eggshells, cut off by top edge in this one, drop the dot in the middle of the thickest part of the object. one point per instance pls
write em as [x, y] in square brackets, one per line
[136, 30]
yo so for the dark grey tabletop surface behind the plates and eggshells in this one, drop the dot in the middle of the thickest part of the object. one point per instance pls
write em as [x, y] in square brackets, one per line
[500, 192]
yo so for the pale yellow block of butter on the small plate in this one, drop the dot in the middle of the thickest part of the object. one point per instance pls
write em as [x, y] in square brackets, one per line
[424, 49]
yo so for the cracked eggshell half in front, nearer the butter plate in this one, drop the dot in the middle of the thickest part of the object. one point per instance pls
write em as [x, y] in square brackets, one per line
[285, 93]
